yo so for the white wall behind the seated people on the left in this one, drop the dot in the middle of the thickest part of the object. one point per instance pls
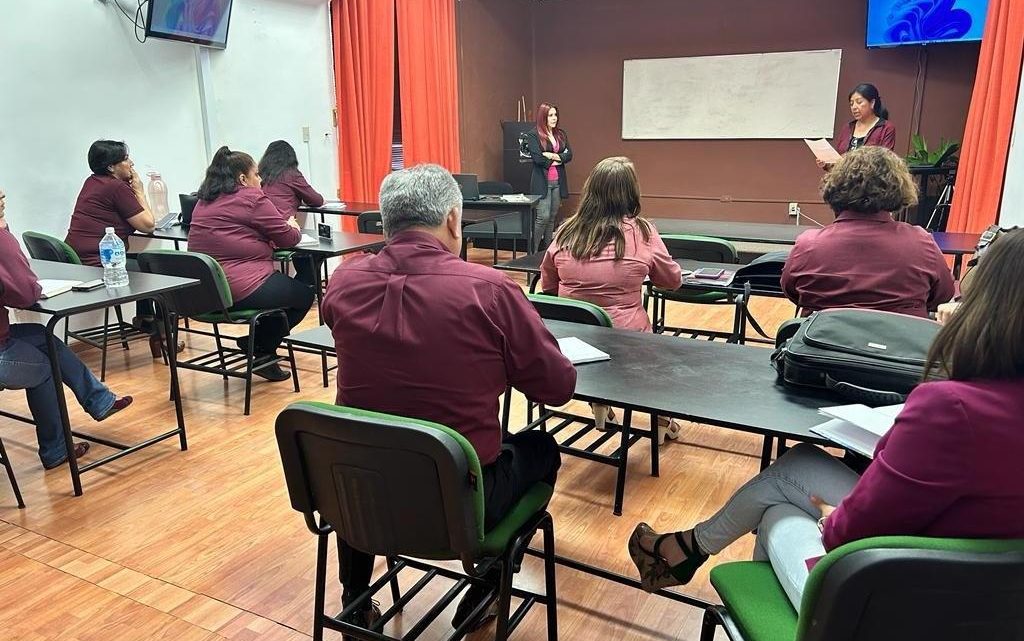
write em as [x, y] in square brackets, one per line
[71, 72]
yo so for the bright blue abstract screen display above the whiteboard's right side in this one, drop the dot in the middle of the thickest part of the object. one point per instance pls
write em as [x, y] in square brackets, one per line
[895, 23]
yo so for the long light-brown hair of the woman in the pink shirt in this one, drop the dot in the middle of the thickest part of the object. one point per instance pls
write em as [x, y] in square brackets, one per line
[611, 194]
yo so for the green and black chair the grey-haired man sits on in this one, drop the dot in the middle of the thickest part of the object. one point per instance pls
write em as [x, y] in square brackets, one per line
[409, 491]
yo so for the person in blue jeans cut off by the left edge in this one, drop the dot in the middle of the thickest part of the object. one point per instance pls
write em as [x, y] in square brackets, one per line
[25, 363]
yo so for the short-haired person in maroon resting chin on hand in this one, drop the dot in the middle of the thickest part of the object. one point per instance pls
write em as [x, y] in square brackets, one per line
[113, 197]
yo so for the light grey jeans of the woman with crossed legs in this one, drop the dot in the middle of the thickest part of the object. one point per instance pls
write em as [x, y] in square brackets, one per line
[778, 504]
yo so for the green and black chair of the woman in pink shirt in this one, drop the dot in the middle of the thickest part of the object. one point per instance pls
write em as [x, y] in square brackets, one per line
[574, 432]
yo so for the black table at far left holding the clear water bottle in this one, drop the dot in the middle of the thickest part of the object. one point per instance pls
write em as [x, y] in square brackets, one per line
[64, 306]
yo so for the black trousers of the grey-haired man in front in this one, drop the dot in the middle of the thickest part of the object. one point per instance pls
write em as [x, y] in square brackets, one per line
[526, 459]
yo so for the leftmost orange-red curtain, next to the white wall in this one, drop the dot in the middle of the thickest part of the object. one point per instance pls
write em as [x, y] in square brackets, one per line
[364, 52]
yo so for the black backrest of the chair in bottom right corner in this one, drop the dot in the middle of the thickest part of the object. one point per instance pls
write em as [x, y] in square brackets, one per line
[898, 588]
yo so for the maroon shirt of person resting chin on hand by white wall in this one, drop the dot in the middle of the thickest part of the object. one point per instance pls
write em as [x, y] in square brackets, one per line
[104, 202]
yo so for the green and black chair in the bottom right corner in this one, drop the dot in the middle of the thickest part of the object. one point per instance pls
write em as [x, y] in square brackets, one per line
[881, 589]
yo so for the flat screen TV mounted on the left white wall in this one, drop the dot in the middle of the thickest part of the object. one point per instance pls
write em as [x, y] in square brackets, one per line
[199, 22]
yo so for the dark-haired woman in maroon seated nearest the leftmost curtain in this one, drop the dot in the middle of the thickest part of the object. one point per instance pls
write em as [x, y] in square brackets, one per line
[287, 189]
